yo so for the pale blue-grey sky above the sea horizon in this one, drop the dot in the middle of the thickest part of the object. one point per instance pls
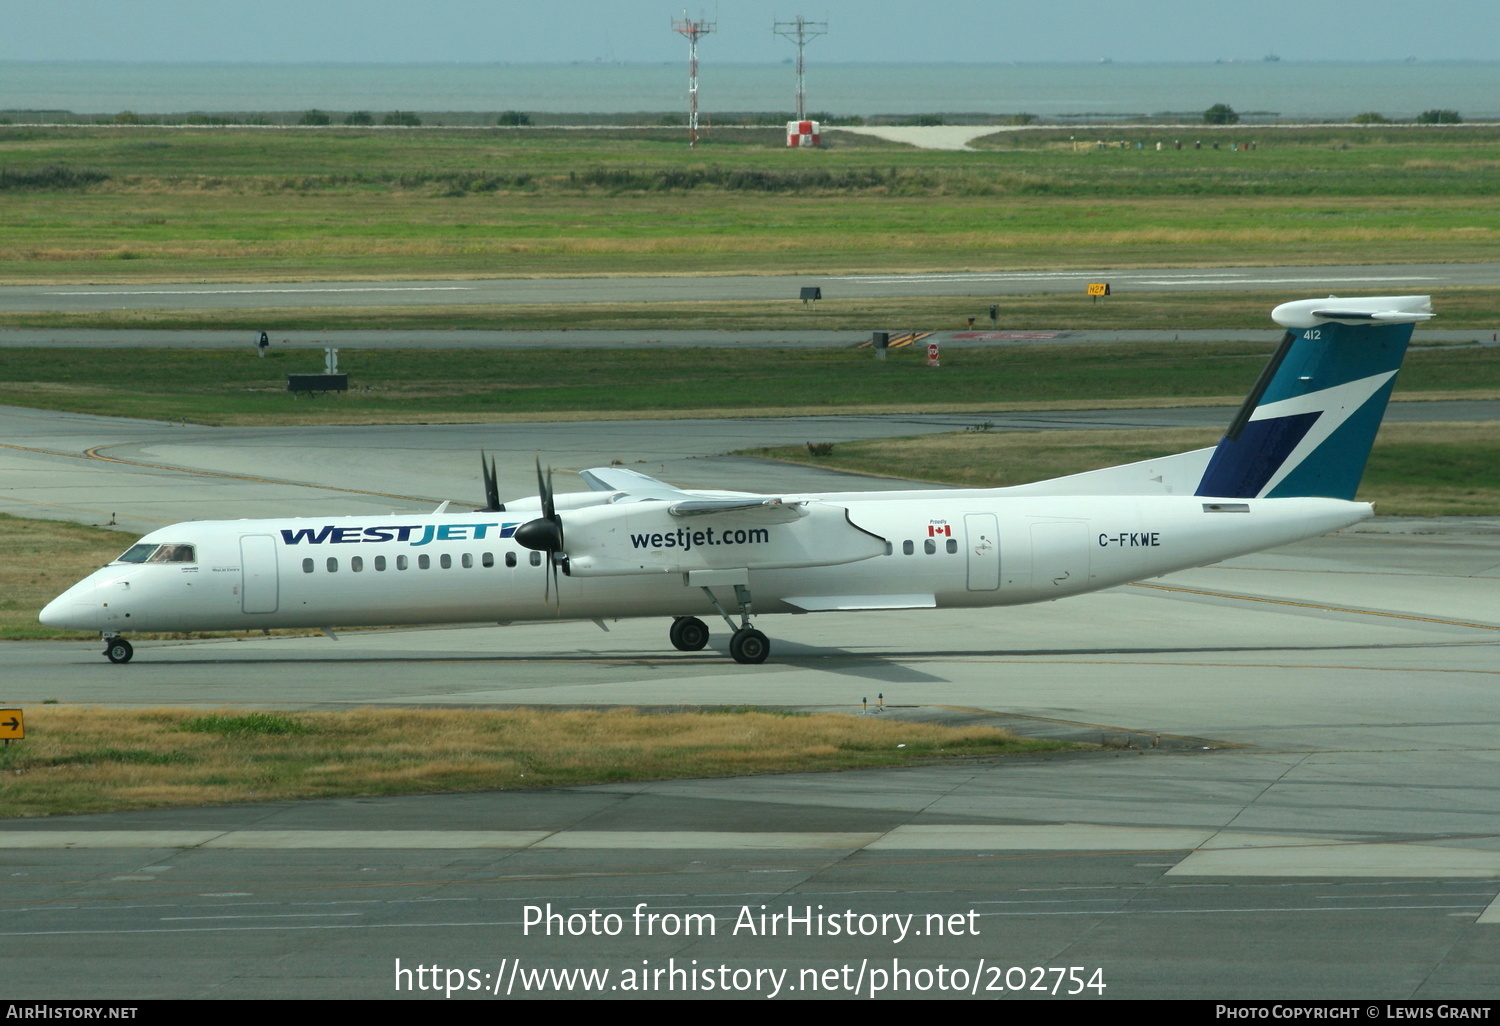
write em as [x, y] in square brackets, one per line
[641, 32]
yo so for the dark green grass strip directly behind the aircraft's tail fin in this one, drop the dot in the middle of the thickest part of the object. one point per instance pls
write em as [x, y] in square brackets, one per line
[395, 386]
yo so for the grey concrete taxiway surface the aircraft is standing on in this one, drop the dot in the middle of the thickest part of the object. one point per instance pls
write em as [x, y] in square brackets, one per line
[1297, 799]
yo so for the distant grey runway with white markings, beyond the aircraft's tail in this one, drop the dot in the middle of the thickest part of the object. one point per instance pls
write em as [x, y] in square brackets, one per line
[1394, 280]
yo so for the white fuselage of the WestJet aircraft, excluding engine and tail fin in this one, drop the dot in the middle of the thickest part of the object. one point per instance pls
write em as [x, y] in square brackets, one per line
[946, 548]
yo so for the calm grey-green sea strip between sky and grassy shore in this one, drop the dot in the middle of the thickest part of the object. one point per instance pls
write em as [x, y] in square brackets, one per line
[1286, 89]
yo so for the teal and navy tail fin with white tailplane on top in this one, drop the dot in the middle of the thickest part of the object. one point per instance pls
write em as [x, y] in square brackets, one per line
[1309, 424]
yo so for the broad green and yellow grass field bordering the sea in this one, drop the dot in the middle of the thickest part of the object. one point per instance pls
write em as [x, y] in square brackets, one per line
[185, 205]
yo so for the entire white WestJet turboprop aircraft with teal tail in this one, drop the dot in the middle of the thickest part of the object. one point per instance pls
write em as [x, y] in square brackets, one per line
[1286, 470]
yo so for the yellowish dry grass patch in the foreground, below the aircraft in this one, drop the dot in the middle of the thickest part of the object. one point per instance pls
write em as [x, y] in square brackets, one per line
[80, 760]
